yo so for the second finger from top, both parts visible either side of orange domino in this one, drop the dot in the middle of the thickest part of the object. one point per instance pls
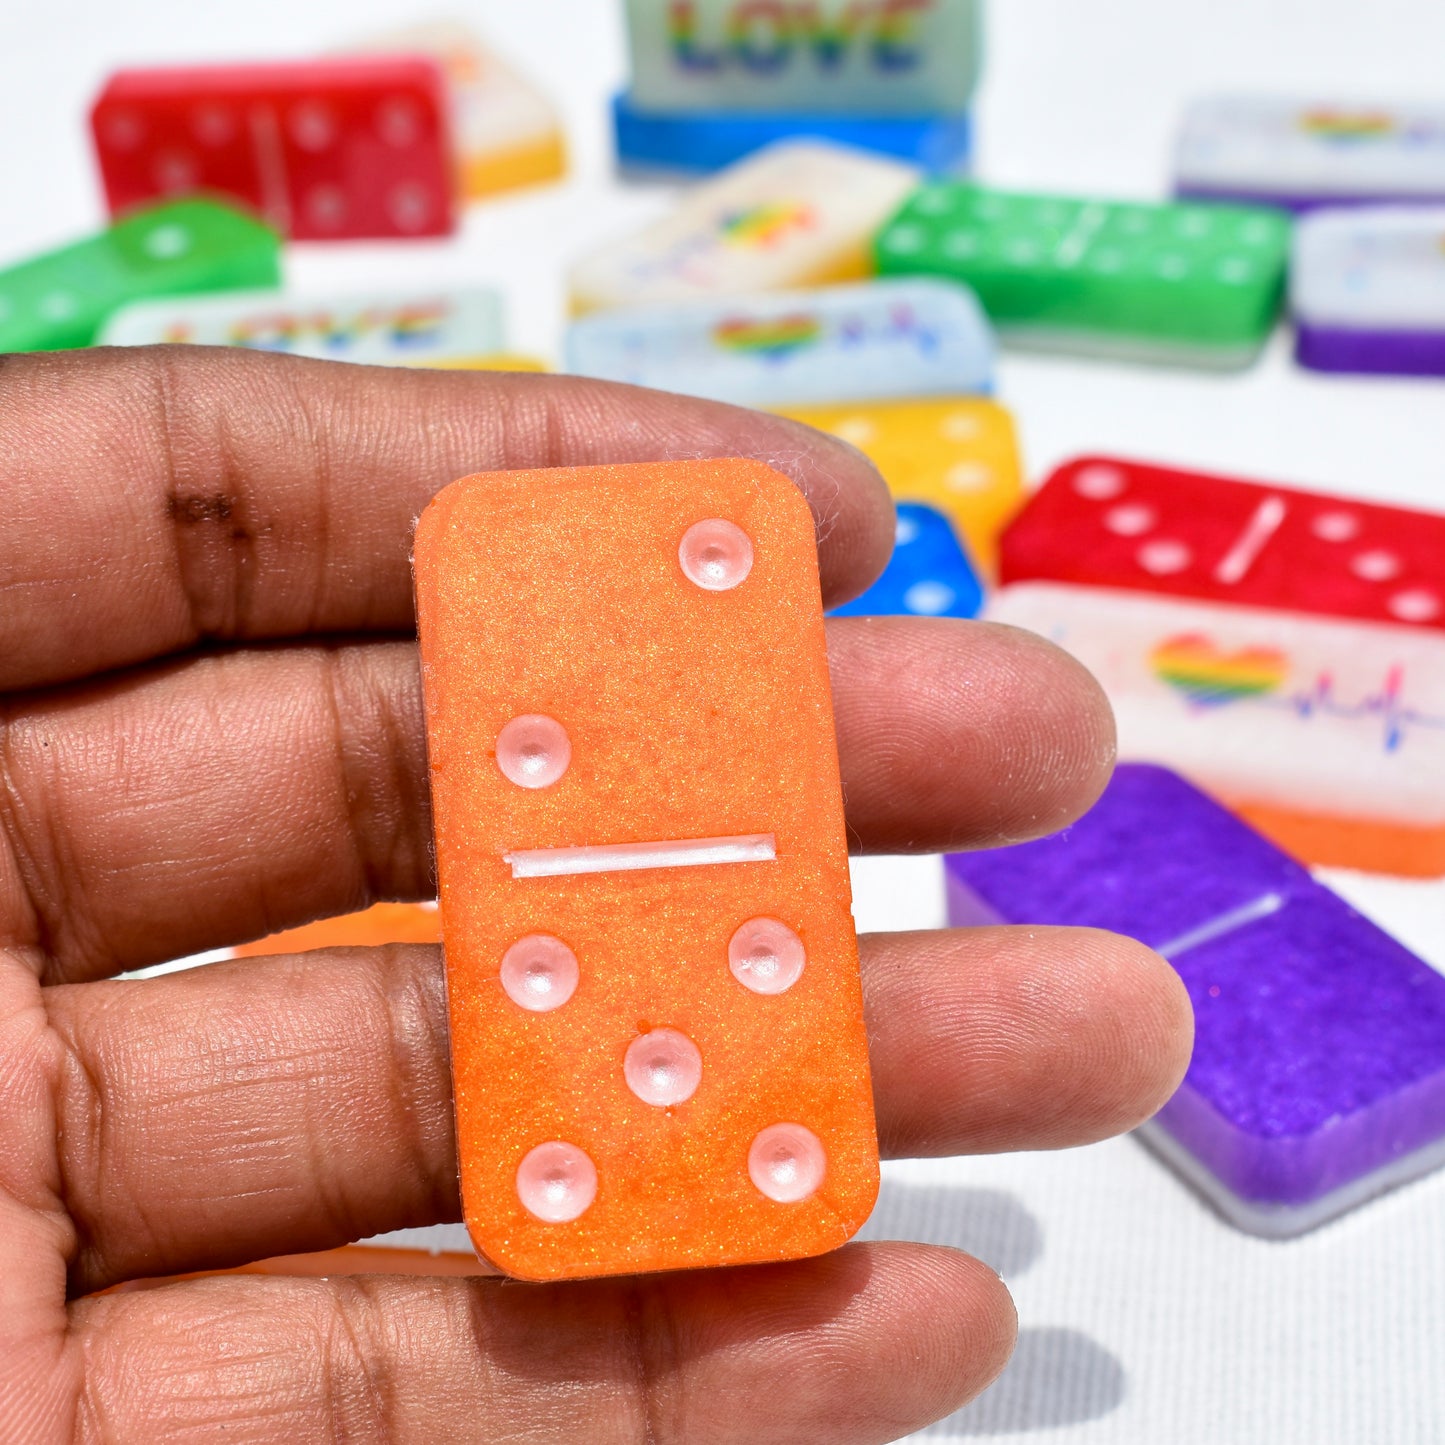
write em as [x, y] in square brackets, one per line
[161, 816]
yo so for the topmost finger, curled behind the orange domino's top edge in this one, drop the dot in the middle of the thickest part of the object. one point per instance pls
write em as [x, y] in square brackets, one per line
[155, 496]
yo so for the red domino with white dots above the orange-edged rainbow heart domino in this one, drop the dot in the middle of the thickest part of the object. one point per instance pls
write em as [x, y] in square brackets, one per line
[1118, 524]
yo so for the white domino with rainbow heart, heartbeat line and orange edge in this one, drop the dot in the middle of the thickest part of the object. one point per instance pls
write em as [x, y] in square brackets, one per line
[1326, 735]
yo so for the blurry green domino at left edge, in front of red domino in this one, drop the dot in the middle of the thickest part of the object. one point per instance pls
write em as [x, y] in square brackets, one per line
[61, 300]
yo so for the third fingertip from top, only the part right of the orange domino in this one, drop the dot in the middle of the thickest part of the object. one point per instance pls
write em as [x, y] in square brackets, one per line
[1019, 1038]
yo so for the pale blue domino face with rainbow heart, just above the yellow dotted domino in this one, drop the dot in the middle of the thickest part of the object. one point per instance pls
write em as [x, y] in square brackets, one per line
[795, 348]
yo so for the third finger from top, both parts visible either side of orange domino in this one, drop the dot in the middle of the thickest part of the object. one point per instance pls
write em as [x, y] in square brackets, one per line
[288, 1105]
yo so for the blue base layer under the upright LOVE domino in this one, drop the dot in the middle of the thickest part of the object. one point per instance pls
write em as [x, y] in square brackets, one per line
[700, 142]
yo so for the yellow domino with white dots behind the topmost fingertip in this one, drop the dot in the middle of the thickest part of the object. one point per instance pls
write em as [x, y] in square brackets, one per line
[959, 454]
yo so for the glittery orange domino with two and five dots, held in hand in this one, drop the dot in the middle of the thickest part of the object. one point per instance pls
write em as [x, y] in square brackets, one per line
[658, 1045]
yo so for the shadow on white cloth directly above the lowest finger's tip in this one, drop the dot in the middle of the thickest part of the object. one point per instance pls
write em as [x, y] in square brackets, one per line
[986, 1223]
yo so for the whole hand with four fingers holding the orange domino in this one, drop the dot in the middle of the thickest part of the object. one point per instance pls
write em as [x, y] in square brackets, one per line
[213, 730]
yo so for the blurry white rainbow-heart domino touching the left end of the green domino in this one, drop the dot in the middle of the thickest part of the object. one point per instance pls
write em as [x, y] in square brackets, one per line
[801, 213]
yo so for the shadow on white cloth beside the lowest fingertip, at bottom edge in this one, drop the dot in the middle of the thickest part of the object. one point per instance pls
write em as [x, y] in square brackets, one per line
[1056, 1378]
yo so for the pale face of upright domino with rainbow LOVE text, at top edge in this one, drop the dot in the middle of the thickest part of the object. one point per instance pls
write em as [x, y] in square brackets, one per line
[810, 57]
